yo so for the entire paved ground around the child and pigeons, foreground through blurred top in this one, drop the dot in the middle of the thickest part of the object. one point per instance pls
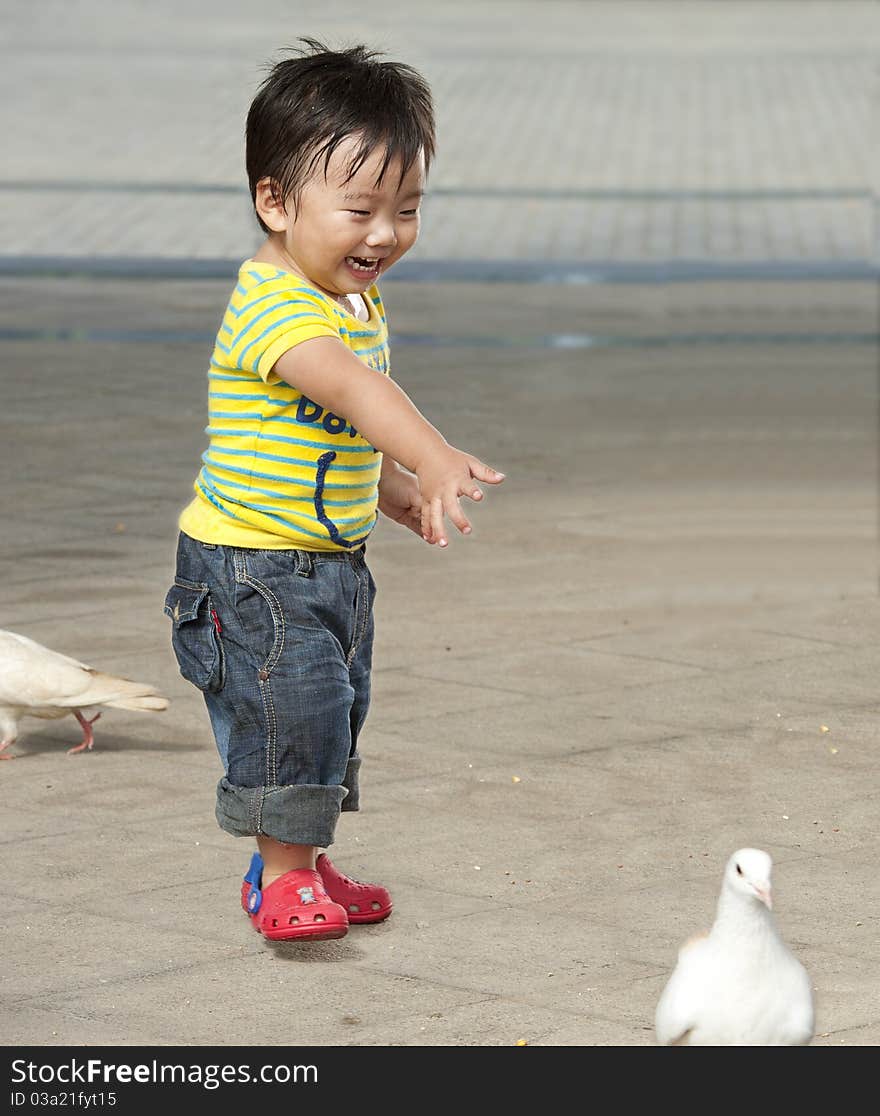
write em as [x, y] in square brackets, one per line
[661, 642]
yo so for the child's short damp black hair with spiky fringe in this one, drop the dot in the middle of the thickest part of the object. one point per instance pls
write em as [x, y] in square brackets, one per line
[312, 103]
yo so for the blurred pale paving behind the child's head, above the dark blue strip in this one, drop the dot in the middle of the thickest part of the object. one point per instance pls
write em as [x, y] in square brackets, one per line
[643, 131]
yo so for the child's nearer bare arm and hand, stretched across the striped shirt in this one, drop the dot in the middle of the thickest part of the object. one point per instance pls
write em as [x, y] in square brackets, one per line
[330, 374]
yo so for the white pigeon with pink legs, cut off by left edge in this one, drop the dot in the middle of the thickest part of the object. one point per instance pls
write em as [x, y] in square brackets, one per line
[38, 682]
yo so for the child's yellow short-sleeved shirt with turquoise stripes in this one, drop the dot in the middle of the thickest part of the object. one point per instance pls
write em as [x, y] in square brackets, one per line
[281, 472]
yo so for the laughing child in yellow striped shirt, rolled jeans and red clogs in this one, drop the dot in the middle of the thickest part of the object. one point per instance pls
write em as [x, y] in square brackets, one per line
[273, 600]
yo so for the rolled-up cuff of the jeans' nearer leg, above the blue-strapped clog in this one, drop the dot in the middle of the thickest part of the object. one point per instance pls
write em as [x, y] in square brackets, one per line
[301, 814]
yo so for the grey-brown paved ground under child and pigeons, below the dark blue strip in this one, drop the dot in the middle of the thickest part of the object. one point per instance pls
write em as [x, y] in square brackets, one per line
[655, 619]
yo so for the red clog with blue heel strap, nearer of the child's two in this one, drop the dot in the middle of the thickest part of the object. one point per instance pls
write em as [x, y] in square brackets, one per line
[295, 908]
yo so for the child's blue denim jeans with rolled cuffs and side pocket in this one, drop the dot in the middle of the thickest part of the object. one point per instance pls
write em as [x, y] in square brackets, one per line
[281, 644]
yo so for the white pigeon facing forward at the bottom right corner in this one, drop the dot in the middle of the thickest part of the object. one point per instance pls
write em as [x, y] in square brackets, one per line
[739, 985]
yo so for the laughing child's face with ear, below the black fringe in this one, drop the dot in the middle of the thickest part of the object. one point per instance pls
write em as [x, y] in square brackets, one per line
[344, 235]
